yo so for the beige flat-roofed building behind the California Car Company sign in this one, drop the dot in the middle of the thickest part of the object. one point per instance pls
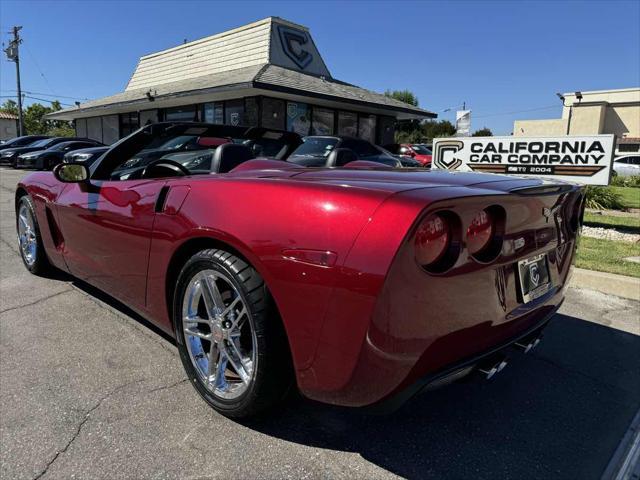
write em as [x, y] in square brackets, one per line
[591, 113]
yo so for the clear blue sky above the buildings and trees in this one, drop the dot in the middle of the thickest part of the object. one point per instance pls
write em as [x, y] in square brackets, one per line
[504, 59]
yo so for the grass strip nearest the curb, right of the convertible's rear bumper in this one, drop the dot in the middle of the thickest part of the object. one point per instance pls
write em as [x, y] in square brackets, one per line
[606, 256]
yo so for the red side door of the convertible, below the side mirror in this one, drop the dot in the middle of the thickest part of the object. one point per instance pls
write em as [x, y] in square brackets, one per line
[106, 227]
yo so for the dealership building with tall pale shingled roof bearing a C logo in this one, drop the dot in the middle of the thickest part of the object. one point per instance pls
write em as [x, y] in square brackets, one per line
[268, 73]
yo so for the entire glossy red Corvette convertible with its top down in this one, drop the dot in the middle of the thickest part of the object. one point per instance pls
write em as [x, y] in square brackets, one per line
[360, 286]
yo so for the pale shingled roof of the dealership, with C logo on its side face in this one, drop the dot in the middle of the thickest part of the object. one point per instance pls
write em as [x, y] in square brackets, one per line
[250, 58]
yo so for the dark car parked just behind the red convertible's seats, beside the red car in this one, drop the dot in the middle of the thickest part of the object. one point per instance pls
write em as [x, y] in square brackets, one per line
[316, 151]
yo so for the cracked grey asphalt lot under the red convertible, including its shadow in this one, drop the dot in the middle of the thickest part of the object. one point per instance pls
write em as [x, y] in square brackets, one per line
[90, 390]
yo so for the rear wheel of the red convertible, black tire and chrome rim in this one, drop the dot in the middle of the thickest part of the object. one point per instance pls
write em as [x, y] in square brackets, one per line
[231, 341]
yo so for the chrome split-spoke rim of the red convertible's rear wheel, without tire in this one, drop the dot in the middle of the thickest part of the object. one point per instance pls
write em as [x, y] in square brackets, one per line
[219, 334]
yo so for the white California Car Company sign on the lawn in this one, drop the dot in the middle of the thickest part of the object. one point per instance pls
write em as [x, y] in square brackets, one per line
[583, 159]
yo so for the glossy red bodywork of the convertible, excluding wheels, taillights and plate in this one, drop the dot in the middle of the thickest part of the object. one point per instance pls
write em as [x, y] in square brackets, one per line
[336, 248]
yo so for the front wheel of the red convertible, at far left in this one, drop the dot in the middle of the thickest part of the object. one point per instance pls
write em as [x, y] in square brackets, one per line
[30, 243]
